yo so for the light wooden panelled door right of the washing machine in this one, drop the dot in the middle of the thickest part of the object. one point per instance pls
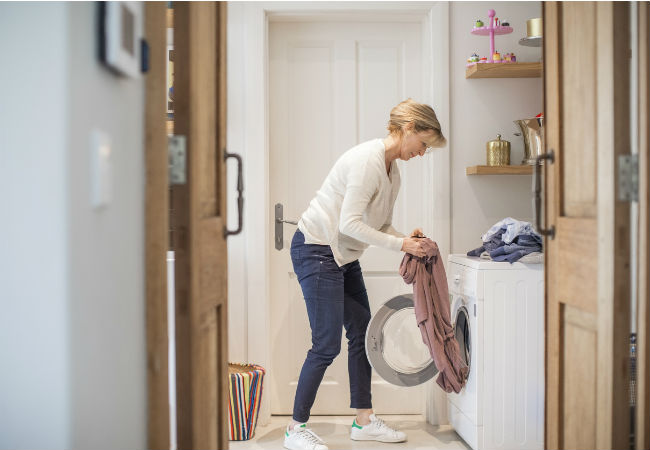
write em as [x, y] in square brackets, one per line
[586, 87]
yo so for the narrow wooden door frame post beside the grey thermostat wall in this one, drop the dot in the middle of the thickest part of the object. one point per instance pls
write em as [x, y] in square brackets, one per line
[156, 227]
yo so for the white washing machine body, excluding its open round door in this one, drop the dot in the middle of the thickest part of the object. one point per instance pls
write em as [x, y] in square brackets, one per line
[497, 312]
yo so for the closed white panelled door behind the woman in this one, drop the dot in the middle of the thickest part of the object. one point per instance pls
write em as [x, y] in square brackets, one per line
[332, 85]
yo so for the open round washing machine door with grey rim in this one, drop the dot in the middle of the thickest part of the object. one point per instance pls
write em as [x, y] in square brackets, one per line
[394, 344]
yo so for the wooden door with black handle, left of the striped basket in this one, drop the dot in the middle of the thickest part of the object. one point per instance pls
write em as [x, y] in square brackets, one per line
[199, 223]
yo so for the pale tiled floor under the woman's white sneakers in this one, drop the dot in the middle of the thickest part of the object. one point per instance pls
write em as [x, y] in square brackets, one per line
[335, 431]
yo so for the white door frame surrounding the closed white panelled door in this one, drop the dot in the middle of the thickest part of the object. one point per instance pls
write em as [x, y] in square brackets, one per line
[248, 91]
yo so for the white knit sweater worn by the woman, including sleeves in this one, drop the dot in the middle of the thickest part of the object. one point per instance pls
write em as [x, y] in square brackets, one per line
[354, 207]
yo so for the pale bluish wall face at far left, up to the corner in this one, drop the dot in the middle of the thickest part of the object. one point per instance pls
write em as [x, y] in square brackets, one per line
[34, 351]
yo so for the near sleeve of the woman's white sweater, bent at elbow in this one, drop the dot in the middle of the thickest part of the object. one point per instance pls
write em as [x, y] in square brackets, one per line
[361, 186]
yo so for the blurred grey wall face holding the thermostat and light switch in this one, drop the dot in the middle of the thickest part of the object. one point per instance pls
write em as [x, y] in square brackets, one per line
[106, 251]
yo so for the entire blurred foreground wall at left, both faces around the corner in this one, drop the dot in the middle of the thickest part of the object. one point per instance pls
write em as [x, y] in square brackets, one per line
[72, 330]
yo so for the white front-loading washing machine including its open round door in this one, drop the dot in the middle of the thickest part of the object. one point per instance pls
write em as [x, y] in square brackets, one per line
[497, 314]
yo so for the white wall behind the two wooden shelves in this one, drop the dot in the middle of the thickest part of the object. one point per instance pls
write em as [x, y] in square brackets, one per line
[482, 108]
